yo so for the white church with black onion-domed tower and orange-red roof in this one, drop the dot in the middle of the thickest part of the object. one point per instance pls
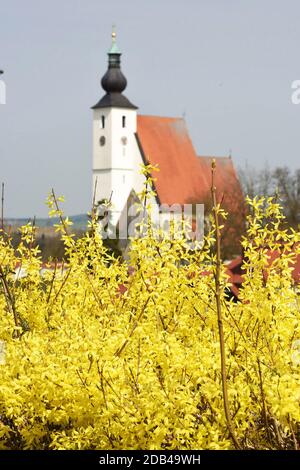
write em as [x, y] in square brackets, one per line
[123, 140]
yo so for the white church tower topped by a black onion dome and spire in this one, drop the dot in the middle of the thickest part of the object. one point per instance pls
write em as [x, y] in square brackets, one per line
[114, 142]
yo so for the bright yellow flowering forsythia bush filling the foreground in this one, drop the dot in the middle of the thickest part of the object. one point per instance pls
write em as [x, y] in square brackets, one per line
[86, 366]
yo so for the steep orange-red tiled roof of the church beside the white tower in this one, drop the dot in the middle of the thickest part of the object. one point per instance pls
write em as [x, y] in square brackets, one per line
[183, 177]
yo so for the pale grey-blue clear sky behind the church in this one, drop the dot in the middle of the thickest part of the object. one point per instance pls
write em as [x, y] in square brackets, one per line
[226, 66]
